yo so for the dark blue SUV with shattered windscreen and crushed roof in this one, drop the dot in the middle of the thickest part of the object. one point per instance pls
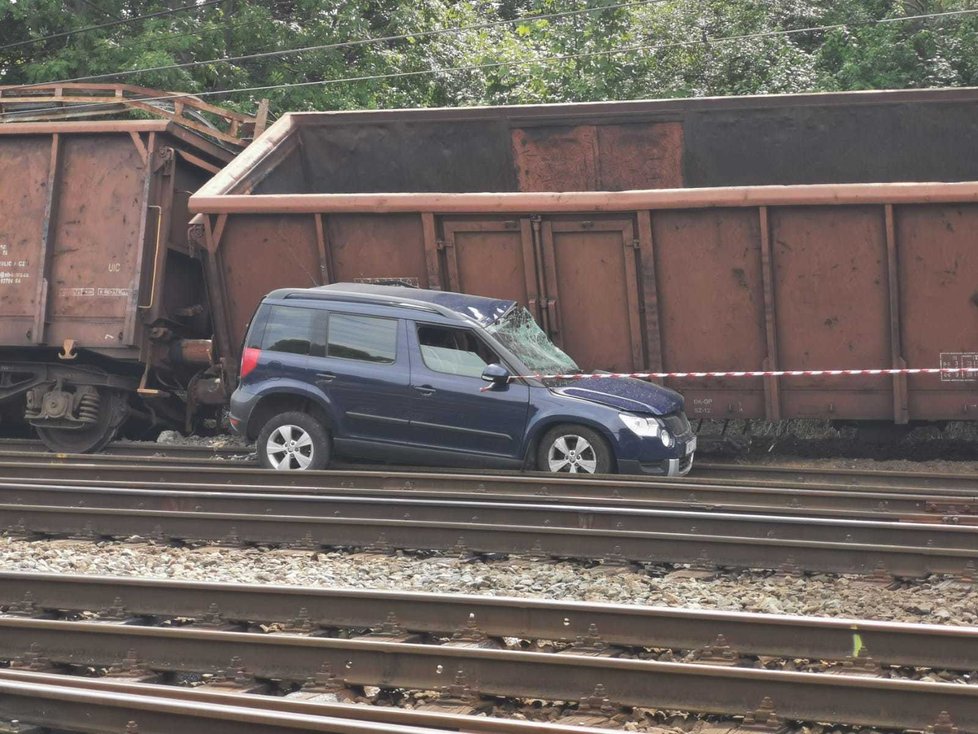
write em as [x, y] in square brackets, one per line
[403, 375]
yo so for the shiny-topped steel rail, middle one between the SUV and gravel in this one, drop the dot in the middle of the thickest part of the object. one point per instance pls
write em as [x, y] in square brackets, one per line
[523, 514]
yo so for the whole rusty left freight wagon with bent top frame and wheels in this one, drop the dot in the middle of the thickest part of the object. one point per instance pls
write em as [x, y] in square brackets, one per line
[103, 312]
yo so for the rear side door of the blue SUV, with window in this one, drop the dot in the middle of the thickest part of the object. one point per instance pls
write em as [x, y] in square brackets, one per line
[365, 375]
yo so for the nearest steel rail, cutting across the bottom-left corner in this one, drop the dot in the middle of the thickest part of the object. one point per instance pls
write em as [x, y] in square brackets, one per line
[71, 708]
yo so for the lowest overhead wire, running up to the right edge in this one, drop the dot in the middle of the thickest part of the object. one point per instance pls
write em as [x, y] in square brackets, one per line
[535, 61]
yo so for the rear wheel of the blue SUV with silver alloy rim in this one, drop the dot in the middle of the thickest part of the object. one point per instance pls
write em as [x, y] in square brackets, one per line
[293, 441]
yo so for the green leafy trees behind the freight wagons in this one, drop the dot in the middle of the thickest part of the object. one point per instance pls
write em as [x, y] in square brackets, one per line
[495, 52]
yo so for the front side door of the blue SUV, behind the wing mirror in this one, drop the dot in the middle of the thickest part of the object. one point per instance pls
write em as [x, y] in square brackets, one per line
[451, 411]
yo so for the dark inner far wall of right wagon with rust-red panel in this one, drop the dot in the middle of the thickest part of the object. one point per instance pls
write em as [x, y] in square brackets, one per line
[776, 139]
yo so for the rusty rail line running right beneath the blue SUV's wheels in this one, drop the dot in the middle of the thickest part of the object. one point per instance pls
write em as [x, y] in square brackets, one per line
[958, 498]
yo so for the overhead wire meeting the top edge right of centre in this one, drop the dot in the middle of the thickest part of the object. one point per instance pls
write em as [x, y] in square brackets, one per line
[349, 44]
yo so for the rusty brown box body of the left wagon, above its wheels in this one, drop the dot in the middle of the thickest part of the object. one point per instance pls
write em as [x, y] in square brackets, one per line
[90, 231]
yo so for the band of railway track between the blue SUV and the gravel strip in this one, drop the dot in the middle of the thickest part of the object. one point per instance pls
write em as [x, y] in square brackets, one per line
[117, 500]
